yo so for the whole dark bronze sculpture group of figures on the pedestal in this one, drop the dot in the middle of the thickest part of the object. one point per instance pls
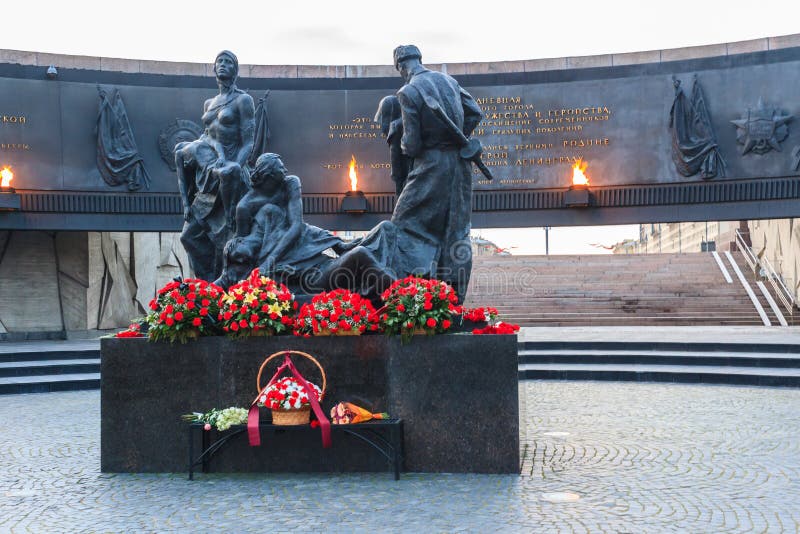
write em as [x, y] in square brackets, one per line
[237, 218]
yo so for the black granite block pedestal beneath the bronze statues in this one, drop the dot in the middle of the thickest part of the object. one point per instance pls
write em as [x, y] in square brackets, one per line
[457, 395]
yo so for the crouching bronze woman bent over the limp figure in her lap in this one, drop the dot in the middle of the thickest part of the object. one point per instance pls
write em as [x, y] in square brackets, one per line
[270, 231]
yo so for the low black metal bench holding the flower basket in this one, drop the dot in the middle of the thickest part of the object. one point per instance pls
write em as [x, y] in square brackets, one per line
[383, 435]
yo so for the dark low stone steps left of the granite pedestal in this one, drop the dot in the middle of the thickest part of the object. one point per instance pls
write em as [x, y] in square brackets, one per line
[43, 366]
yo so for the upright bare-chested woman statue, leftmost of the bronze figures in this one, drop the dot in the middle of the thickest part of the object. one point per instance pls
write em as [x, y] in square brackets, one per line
[212, 171]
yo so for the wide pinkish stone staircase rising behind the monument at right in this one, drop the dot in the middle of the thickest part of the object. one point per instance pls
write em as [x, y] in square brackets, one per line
[615, 290]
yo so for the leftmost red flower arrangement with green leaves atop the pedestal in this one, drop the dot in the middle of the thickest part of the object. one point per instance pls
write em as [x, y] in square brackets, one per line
[183, 310]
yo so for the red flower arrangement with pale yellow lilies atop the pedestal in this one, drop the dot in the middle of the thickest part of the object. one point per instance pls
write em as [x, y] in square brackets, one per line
[257, 306]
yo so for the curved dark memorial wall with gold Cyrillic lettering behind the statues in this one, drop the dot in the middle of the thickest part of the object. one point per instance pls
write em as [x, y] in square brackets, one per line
[541, 115]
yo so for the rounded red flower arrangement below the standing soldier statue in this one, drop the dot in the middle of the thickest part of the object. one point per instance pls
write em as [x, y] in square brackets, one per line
[417, 304]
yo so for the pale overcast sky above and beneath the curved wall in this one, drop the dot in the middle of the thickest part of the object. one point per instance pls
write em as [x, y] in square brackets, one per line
[311, 32]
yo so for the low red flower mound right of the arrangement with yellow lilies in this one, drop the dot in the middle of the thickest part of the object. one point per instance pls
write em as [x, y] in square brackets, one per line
[338, 312]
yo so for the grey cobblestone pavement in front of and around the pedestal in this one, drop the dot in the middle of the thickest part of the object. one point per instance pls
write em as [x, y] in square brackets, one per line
[637, 457]
